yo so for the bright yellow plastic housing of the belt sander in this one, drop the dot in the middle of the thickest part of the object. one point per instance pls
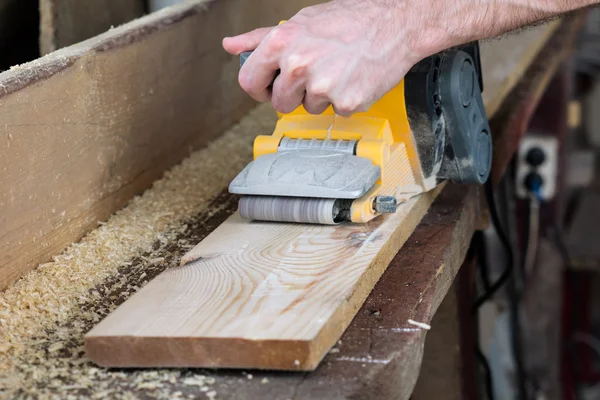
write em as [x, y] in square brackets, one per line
[383, 135]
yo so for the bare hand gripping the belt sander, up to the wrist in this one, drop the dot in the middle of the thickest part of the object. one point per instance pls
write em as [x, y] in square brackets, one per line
[345, 53]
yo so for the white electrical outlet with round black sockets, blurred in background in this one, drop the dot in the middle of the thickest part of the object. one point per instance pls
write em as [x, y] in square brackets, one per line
[537, 162]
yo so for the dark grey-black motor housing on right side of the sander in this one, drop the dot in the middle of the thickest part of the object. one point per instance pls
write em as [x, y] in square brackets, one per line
[447, 115]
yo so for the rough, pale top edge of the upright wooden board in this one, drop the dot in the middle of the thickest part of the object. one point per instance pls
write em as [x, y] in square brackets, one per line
[23, 75]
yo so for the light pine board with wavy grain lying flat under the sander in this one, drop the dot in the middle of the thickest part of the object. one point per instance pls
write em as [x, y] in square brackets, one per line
[255, 295]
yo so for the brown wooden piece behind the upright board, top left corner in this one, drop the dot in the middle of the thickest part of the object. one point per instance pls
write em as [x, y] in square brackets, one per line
[66, 22]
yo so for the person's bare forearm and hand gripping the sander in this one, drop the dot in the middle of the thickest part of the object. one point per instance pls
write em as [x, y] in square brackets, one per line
[349, 53]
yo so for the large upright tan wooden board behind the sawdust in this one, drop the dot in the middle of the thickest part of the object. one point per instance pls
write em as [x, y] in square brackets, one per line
[87, 127]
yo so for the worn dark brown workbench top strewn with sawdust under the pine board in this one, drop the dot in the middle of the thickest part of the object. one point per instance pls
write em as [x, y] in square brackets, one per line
[44, 316]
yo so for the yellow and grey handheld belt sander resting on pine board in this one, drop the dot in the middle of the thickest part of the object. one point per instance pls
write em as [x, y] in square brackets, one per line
[325, 169]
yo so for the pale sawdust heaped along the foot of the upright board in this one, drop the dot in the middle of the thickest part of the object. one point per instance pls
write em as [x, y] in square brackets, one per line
[44, 316]
